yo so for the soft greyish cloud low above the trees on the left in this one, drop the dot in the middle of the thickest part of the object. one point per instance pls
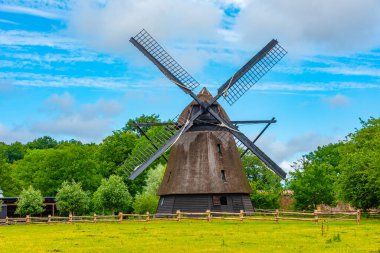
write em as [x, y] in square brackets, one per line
[86, 122]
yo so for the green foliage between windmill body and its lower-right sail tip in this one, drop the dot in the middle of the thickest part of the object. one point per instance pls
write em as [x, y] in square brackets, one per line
[266, 186]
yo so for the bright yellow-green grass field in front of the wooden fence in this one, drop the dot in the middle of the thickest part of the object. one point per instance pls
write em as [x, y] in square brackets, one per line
[193, 236]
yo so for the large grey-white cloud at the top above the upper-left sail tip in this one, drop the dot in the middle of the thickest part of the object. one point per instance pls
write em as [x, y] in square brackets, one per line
[110, 25]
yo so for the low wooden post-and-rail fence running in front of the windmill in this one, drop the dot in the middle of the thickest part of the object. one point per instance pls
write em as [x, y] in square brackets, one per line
[208, 216]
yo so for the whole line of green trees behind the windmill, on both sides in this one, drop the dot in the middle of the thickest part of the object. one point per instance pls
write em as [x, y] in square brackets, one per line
[347, 171]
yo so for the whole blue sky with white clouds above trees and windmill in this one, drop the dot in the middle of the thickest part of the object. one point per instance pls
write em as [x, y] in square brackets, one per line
[68, 70]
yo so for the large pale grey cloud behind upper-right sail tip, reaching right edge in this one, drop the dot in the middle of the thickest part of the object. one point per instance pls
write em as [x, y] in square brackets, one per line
[316, 26]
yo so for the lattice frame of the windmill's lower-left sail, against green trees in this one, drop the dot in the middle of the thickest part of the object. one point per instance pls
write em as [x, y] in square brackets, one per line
[142, 153]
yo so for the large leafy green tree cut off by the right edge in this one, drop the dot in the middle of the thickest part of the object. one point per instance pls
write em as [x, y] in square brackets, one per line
[359, 182]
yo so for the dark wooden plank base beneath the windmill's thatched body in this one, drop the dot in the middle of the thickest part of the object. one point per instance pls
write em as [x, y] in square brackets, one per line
[202, 202]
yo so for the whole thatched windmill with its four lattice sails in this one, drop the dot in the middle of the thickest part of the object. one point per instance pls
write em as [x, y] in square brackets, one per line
[204, 169]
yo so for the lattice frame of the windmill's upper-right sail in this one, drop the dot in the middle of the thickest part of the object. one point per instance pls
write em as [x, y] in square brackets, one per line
[255, 73]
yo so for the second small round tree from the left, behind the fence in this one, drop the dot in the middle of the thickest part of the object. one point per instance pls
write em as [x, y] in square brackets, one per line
[71, 198]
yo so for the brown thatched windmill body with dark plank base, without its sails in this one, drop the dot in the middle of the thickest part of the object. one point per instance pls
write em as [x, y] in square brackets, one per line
[204, 170]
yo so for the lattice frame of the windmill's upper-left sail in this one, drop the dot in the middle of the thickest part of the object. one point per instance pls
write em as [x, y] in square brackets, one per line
[161, 56]
